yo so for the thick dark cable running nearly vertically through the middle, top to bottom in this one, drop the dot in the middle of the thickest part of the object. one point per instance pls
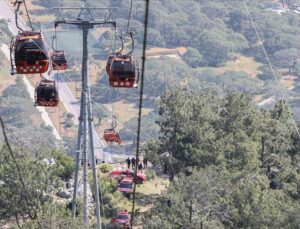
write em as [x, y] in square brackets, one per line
[140, 108]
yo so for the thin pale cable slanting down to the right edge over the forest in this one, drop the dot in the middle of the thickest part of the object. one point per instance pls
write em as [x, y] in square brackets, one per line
[272, 69]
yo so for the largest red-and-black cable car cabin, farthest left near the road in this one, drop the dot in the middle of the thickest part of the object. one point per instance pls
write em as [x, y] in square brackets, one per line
[30, 53]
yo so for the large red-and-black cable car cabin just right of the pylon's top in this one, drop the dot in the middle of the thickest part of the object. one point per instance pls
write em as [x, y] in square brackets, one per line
[123, 72]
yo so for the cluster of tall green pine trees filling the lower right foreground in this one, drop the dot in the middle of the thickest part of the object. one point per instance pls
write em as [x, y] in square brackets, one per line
[234, 166]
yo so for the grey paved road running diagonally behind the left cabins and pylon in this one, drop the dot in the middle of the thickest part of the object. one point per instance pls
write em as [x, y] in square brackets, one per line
[64, 92]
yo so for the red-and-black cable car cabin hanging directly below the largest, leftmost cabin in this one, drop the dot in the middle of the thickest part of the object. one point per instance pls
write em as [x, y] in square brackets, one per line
[46, 94]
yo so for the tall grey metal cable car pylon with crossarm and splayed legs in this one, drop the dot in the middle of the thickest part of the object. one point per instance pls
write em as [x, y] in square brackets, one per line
[85, 142]
